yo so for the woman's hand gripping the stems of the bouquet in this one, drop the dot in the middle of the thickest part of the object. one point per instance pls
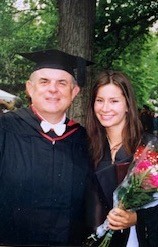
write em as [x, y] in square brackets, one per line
[120, 219]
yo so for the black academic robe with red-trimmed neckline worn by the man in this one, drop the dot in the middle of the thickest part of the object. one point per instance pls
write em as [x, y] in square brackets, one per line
[42, 183]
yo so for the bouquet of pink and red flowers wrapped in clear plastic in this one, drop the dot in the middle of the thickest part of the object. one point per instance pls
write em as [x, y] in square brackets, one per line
[139, 189]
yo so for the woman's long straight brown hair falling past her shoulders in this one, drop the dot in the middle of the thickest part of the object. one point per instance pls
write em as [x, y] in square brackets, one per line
[131, 133]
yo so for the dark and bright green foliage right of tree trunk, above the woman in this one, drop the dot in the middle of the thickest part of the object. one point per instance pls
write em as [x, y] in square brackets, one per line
[124, 42]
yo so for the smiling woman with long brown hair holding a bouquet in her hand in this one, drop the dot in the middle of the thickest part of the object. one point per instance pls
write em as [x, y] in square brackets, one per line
[114, 131]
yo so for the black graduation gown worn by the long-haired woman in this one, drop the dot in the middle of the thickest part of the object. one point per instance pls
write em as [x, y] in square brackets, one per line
[107, 179]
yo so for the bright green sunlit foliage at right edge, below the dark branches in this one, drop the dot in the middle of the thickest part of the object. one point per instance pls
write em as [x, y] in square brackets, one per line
[139, 62]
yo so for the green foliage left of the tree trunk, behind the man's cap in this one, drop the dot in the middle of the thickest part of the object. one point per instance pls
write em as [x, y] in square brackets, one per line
[28, 28]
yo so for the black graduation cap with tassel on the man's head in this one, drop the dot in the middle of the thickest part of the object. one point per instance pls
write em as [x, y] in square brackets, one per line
[59, 60]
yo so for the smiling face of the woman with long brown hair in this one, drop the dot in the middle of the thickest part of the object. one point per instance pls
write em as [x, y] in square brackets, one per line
[110, 106]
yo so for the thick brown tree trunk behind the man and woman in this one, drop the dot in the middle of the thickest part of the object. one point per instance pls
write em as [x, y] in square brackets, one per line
[75, 36]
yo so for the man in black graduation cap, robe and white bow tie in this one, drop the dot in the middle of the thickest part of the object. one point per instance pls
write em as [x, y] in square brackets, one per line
[44, 165]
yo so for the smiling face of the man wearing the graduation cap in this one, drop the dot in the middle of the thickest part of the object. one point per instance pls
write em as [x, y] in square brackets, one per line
[52, 91]
